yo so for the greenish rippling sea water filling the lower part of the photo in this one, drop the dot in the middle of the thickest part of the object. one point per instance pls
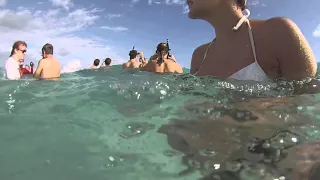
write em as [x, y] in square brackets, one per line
[115, 124]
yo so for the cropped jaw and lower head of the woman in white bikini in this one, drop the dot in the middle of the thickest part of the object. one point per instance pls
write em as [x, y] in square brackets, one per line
[202, 9]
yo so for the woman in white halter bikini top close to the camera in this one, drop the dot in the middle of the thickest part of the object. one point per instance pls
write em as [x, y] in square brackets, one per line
[243, 49]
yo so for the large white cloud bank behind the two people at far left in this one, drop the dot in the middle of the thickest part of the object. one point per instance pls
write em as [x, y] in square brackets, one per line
[38, 27]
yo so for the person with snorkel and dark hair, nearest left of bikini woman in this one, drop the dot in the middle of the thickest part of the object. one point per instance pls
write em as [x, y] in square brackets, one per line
[163, 62]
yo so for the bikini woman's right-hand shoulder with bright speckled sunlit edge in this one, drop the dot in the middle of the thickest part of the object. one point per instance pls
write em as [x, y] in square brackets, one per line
[293, 51]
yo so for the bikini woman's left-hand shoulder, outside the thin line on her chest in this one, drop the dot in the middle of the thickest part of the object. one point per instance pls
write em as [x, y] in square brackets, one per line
[197, 57]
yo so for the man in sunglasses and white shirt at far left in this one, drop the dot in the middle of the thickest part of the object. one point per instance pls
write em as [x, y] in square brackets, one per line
[12, 66]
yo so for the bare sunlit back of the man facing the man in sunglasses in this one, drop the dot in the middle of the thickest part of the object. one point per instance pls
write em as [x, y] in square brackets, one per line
[51, 68]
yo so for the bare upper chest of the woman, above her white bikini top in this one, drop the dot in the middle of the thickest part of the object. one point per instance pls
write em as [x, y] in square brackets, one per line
[224, 60]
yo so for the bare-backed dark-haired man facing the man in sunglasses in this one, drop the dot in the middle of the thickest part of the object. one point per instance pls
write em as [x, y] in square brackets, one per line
[48, 68]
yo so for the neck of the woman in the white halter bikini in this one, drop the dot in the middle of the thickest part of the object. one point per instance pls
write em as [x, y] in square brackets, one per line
[223, 26]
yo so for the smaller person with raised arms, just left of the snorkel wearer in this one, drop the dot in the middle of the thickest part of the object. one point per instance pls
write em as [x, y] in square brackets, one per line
[134, 62]
